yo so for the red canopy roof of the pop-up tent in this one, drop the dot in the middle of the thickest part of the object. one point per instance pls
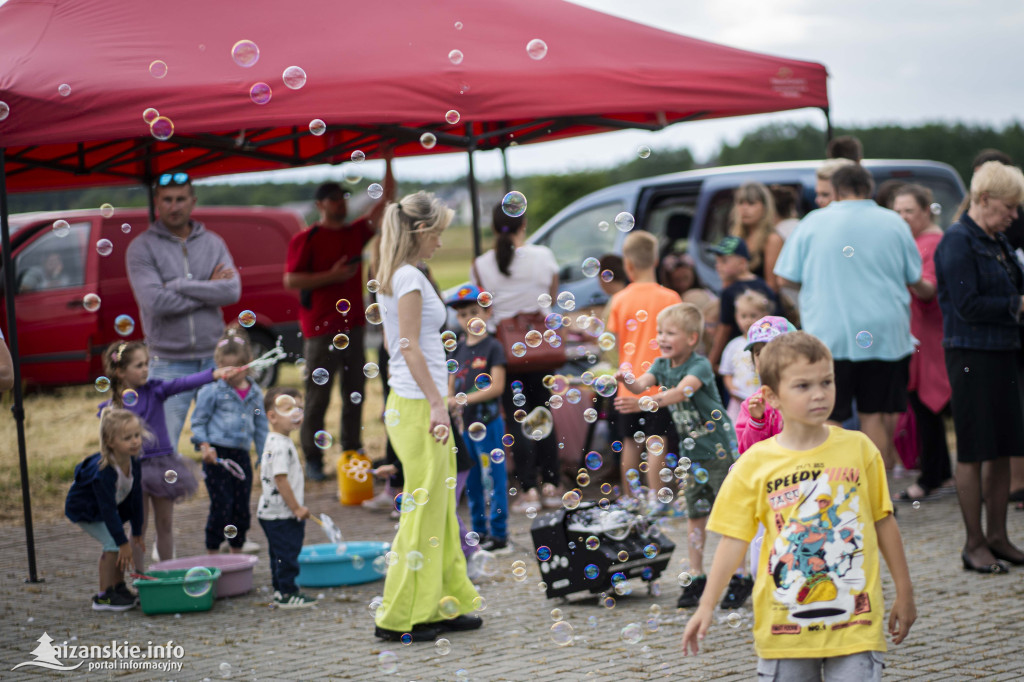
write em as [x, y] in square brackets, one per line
[377, 72]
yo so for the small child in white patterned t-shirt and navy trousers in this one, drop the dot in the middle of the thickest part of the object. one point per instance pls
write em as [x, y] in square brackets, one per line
[282, 510]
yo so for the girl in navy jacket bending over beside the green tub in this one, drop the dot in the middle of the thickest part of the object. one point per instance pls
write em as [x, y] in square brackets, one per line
[108, 492]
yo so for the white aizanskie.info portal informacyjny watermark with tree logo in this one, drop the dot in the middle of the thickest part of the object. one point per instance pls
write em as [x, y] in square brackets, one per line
[113, 657]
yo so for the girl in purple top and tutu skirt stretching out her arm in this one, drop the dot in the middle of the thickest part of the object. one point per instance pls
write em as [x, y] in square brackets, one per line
[166, 476]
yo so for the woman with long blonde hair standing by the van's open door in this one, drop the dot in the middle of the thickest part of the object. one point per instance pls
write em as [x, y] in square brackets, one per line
[754, 222]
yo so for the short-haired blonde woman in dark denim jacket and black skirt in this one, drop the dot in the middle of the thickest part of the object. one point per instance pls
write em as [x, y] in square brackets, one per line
[980, 287]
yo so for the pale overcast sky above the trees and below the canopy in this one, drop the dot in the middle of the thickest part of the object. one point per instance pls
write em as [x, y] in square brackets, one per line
[889, 62]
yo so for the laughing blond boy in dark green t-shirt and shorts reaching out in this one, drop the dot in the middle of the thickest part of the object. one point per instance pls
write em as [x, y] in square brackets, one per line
[685, 383]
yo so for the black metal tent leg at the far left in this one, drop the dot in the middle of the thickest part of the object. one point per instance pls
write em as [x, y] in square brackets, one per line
[19, 409]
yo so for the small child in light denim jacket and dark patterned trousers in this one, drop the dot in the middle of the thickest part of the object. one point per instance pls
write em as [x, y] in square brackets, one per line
[228, 419]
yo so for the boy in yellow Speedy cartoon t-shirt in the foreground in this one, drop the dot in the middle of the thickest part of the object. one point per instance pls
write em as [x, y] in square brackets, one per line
[822, 494]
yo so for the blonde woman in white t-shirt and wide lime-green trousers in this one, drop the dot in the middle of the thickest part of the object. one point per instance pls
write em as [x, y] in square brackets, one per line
[428, 591]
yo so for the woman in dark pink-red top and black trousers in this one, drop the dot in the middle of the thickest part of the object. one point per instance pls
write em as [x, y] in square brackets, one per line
[929, 387]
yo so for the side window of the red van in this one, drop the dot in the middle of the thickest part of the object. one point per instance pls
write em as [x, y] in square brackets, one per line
[54, 262]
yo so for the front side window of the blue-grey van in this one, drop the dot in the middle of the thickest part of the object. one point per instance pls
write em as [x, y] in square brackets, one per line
[579, 237]
